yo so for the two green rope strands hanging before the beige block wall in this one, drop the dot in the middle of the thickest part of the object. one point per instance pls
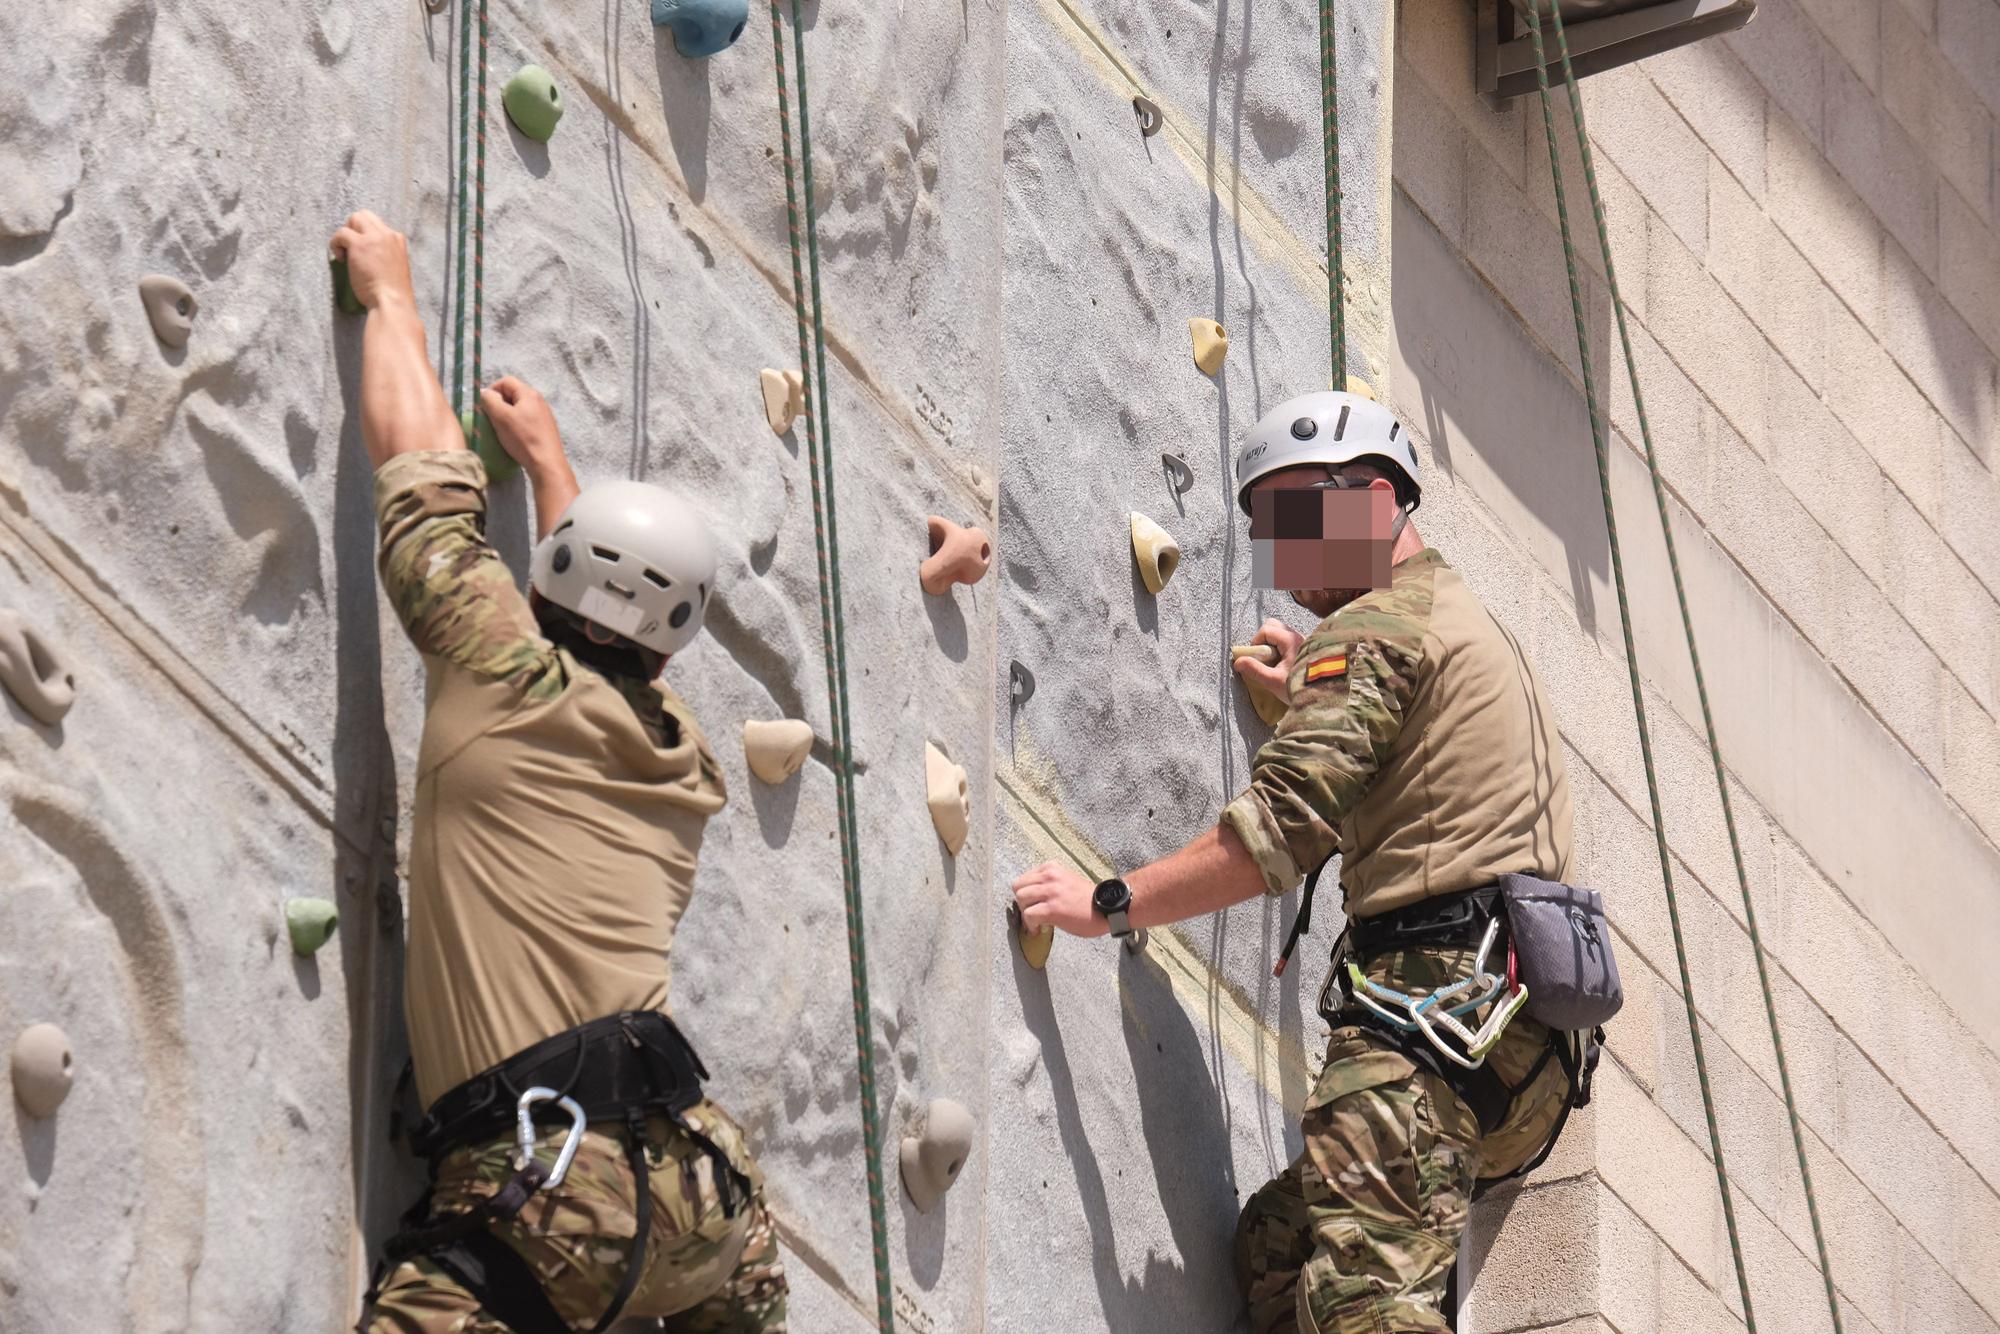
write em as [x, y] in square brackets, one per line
[1695, 659]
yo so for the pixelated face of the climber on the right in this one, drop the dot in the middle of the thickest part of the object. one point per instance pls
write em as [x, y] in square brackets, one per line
[1323, 539]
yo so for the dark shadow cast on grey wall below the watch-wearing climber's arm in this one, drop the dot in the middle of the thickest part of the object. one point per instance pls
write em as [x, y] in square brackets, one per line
[1185, 1145]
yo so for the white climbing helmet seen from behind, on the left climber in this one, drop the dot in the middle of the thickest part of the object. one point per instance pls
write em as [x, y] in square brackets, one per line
[633, 559]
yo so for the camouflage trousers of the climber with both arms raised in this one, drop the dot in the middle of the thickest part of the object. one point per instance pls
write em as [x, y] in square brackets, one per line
[705, 1271]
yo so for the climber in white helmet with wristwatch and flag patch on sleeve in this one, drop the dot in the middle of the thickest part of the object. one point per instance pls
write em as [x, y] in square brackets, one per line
[1417, 745]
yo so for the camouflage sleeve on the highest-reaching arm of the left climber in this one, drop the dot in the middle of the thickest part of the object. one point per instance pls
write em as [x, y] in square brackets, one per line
[449, 587]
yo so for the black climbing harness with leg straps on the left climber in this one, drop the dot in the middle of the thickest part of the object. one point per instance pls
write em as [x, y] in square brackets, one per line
[619, 1071]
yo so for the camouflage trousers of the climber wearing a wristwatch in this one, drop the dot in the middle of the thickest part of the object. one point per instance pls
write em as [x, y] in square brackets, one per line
[1361, 1233]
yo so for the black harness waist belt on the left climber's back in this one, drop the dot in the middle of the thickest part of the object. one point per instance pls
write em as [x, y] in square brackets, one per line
[613, 1065]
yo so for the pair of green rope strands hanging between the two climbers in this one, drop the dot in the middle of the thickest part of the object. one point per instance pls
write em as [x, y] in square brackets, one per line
[833, 629]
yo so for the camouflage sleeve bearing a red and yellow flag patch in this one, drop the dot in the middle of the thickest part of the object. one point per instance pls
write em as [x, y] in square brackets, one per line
[1351, 691]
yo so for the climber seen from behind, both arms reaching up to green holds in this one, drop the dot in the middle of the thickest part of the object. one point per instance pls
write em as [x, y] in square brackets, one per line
[561, 799]
